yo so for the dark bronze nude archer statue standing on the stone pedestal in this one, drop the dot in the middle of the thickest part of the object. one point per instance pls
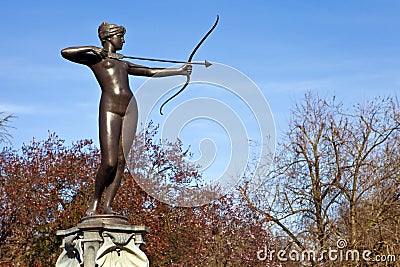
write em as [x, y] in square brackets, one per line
[112, 76]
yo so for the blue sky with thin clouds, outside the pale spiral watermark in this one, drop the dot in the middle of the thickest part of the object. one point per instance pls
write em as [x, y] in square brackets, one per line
[350, 49]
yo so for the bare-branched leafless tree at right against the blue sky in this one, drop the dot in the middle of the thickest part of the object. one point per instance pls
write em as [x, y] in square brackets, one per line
[335, 175]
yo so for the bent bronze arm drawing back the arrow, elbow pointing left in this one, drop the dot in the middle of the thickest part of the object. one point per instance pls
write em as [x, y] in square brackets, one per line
[82, 54]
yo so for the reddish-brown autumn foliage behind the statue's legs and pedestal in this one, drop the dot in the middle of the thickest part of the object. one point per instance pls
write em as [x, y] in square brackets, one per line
[46, 186]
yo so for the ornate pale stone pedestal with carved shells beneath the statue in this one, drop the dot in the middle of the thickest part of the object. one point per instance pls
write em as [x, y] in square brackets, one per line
[103, 240]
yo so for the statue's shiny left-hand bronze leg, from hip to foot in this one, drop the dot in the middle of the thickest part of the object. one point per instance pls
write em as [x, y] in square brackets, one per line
[109, 131]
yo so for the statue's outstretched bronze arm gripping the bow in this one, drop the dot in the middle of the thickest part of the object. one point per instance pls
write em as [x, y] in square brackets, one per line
[139, 70]
